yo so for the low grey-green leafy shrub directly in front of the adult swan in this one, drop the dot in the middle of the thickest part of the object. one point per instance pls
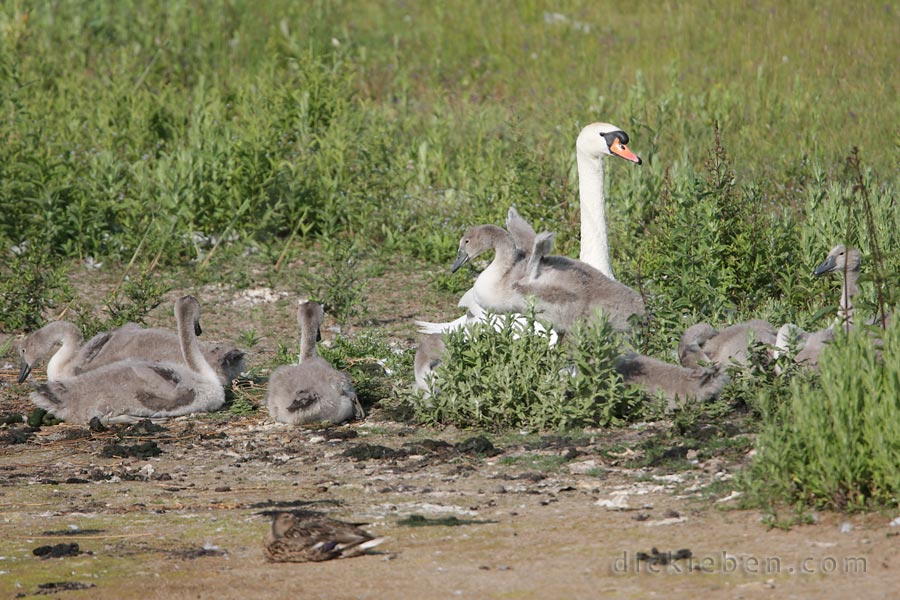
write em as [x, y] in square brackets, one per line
[512, 377]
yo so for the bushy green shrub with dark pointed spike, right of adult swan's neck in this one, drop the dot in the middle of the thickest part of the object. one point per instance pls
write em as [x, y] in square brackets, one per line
[715, 250]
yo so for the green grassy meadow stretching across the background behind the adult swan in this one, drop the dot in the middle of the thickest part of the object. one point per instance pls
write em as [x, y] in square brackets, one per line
[184, 127]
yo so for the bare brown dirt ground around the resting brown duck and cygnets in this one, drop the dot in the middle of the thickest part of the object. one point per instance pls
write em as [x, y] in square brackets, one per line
[521, 516]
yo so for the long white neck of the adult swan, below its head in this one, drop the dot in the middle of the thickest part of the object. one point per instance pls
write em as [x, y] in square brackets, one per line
[594, 241]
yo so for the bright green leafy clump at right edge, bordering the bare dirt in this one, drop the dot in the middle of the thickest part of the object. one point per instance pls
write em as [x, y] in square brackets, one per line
[836, 443]
